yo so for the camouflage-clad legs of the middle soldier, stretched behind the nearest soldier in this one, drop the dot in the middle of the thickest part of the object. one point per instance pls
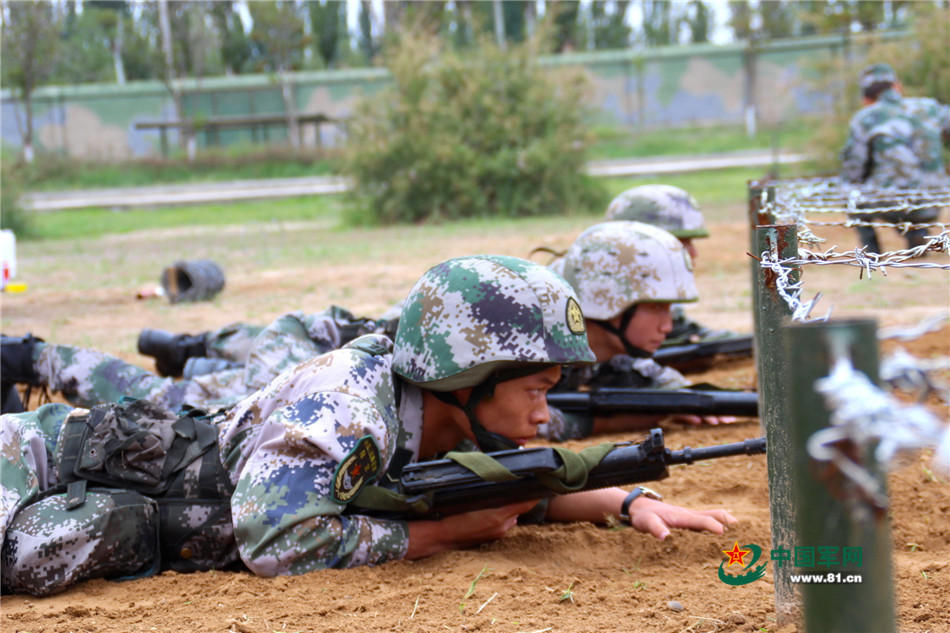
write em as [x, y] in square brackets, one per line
[87, 377]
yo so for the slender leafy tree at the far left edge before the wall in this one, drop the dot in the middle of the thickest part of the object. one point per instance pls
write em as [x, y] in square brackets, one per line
[30, 37]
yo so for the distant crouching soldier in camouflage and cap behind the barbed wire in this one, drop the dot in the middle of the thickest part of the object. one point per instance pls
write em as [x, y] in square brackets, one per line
[894, 143]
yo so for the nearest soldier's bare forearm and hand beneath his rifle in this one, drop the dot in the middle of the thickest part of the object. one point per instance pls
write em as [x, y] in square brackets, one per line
[461, 530]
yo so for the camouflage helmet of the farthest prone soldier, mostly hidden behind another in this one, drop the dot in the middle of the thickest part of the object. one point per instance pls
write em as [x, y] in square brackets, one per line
[665, 206]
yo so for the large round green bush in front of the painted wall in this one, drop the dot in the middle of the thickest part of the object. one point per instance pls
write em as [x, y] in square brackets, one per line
[473, 134]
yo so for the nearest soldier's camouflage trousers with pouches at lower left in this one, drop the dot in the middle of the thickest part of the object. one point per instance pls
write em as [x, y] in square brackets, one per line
[54, 536]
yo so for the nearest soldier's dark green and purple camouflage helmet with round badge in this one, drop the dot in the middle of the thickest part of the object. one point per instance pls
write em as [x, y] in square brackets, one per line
[471, 316]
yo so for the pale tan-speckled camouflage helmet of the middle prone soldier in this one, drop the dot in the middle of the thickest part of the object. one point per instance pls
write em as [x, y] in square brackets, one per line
[615, 265]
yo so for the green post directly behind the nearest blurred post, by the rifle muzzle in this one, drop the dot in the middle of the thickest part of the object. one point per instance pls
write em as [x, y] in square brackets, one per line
[771, 313]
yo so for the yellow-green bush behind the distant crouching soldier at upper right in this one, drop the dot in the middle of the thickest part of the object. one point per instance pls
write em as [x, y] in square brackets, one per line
[922, 63]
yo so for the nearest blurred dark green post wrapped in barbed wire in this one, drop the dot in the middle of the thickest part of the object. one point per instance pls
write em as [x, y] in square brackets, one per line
[826, 521]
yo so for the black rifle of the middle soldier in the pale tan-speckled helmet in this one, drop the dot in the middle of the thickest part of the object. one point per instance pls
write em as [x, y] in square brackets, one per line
[613, 400]
